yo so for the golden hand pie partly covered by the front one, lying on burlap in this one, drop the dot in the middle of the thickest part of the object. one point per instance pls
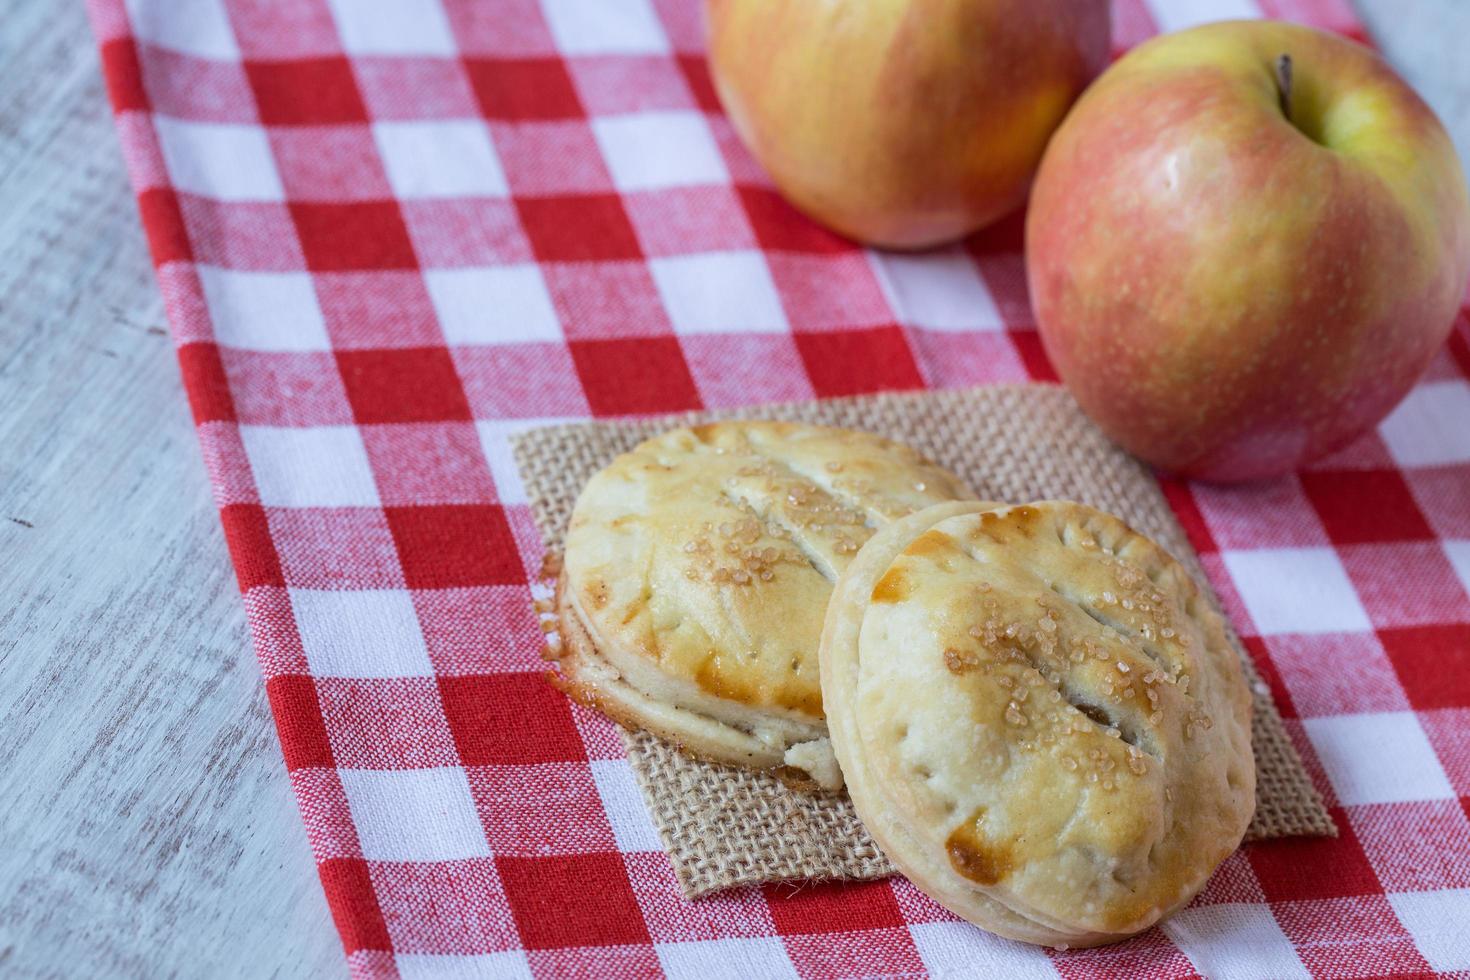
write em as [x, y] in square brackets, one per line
[698, 574]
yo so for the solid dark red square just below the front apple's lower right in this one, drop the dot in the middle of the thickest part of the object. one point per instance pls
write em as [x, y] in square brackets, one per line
[1365, 506]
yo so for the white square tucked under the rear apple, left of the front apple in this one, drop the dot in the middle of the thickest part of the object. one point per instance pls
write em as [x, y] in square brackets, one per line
[939, 292]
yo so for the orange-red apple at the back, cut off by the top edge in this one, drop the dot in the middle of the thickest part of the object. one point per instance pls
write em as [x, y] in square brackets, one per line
[903, 123]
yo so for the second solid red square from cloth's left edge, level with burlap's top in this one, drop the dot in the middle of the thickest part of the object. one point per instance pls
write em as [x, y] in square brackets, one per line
[415, 384]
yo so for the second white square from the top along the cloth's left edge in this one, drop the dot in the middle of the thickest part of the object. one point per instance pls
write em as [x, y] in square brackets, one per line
[223, 161]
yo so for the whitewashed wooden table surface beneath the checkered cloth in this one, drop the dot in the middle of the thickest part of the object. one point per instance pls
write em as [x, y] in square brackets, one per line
[146, 822]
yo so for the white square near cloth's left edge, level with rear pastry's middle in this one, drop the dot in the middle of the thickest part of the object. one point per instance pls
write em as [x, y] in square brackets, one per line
[361, 634]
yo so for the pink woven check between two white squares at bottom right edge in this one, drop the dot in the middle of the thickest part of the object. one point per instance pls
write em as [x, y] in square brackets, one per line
[1352, 938]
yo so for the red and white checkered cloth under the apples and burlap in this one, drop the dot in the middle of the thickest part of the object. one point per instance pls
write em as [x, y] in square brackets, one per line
[390, 233]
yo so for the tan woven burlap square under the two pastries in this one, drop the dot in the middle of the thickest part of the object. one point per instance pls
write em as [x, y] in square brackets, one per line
[725, 826]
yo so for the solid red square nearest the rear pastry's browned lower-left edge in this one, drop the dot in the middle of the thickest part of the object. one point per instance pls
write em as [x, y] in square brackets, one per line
[511, 721]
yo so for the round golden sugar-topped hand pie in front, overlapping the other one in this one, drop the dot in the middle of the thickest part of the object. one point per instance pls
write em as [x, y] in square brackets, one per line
[1040, 719]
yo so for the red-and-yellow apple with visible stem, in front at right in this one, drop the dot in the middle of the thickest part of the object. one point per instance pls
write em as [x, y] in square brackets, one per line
[1236, 273]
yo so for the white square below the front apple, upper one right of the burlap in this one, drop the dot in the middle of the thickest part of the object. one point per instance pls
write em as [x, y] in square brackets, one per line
[1297, 591]
